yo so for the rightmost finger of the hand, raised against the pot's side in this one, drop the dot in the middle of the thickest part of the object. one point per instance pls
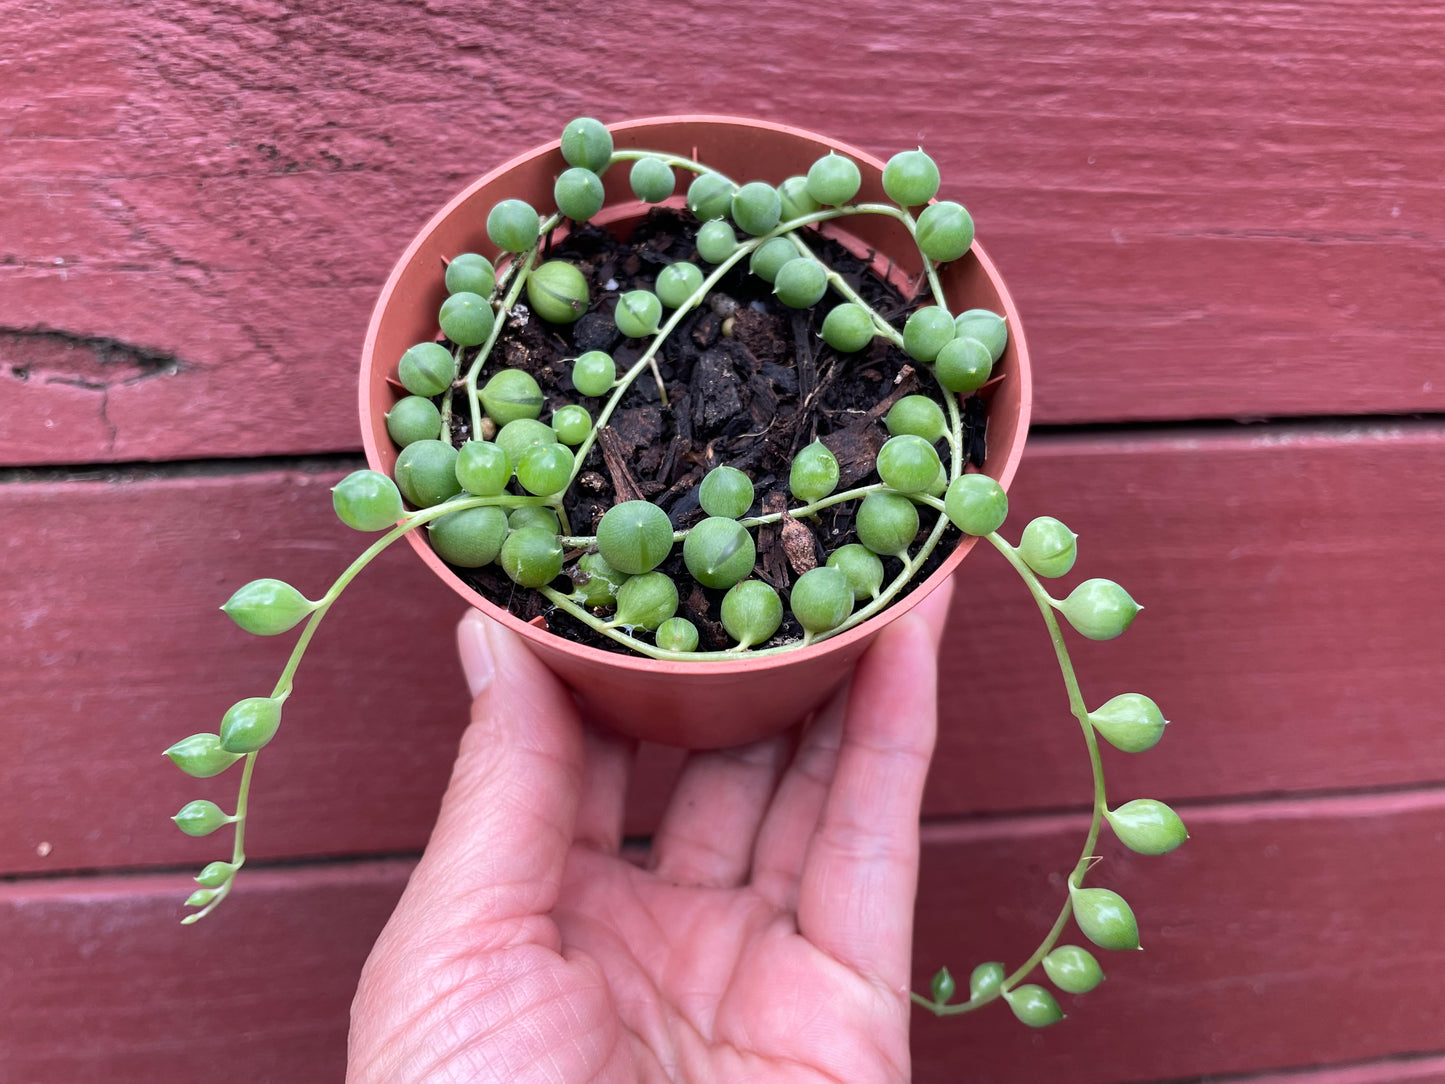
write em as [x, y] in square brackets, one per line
[860, 877]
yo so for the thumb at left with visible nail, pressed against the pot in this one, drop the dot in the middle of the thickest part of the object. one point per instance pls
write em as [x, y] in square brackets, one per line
[511, 810]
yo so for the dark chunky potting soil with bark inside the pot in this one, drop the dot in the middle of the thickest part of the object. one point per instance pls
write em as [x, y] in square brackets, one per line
[749, 385]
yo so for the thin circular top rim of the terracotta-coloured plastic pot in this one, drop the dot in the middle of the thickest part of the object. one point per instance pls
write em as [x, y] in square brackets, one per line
[745, 663]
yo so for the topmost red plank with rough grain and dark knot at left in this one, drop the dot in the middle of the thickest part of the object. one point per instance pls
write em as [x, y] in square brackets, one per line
[1212, 209]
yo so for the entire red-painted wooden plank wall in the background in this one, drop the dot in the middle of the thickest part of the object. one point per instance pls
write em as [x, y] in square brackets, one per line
[1225, 226]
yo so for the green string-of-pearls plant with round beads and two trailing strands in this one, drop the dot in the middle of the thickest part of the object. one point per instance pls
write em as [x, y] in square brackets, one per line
[502, 499]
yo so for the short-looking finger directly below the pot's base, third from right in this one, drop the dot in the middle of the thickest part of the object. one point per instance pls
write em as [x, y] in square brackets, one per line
[712, 822]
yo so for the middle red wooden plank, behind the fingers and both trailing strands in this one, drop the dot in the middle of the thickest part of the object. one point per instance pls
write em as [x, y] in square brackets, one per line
[1293, 629]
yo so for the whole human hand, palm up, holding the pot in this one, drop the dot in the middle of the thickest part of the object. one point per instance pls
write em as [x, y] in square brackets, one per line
[768, 940]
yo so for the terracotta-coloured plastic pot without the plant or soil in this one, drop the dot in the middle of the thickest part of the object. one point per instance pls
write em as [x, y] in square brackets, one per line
[715, 703]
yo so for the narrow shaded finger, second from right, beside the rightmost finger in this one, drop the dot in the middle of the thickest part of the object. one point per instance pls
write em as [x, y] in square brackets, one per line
[793, 817]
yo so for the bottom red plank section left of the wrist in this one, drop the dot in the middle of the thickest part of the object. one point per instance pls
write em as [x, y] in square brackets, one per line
[102, 984]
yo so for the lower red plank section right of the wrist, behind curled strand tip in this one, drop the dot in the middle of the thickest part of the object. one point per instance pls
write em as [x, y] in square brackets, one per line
[1294, 933]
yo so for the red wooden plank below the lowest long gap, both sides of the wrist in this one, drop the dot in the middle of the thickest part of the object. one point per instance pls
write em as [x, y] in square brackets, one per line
[1285, 934]
